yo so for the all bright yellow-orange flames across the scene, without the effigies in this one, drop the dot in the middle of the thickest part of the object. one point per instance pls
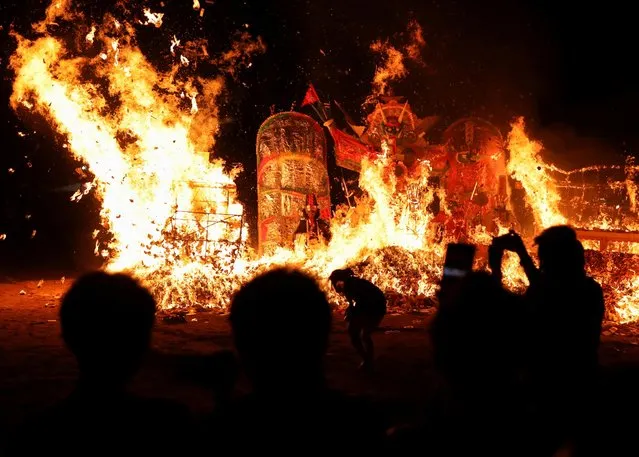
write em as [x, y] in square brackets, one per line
[146, 135]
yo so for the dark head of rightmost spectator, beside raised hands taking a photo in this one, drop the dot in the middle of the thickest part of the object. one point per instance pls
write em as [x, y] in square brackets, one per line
[561, 254]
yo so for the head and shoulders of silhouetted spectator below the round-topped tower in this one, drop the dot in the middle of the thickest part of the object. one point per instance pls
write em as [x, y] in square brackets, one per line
[281, 322]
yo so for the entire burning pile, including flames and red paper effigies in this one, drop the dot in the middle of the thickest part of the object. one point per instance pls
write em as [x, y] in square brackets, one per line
[171, 217]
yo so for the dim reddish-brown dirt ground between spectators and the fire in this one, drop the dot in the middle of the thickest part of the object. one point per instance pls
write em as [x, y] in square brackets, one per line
[37, 370]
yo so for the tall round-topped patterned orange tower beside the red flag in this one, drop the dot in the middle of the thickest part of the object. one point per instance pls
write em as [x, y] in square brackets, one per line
[291, 164]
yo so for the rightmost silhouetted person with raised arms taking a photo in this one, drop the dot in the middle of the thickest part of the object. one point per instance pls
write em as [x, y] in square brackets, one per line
[566, 314]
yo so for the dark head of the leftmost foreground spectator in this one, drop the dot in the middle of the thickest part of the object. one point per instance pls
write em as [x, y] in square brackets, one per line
[106, 322]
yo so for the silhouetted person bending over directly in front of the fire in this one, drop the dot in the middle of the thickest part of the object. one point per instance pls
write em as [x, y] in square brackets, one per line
[366, 309]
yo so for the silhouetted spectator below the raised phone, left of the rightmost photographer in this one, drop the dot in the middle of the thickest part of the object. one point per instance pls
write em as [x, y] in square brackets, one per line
[477, 350]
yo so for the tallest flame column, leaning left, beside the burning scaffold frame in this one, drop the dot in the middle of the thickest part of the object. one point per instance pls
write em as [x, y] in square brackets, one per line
[144, 143]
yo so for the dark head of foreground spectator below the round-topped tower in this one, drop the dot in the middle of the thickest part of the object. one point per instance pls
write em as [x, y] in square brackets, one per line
[280, 322]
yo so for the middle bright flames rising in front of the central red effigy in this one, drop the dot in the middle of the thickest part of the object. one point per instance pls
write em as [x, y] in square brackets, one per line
[389, 238]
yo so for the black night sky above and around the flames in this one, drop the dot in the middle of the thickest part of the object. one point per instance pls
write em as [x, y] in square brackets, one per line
[566, 66]
